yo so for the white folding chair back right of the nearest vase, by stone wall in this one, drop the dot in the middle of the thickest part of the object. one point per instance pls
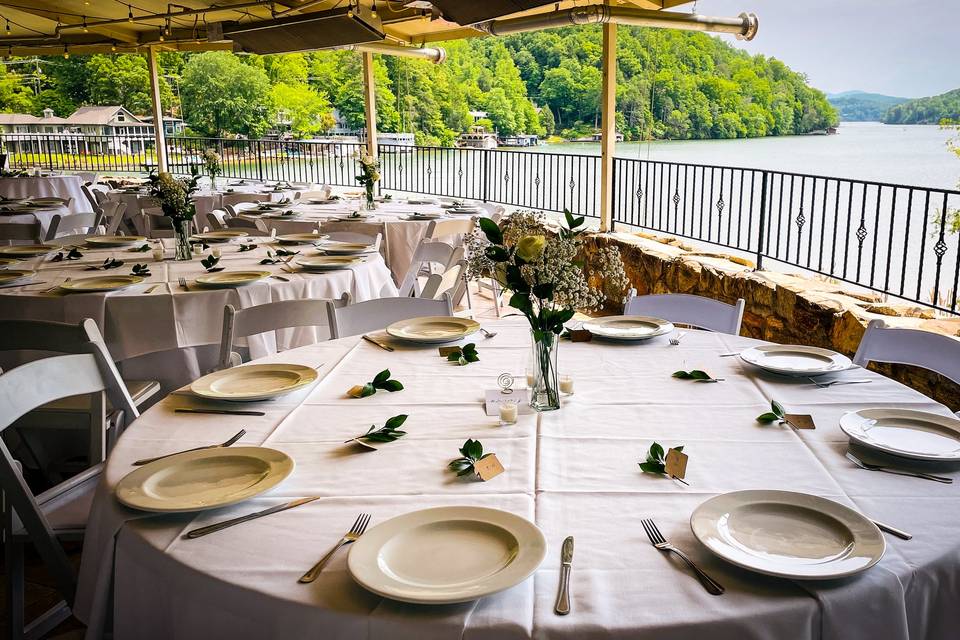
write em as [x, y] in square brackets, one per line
[686, 309]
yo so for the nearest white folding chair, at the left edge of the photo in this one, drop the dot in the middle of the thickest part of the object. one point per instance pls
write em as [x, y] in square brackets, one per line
[60, 513]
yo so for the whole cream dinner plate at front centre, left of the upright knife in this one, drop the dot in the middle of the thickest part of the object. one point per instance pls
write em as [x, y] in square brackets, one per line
[446, 555]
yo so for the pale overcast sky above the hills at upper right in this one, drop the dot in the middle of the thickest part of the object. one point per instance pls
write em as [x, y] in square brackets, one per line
[898, 48]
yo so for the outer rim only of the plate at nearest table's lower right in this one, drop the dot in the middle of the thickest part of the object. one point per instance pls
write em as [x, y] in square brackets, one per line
[770, 495]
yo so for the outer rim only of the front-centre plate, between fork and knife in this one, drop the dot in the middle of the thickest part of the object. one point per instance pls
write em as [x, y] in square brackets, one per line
[528, 560]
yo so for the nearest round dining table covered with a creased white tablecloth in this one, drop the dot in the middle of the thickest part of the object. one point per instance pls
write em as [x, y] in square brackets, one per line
[572, 472]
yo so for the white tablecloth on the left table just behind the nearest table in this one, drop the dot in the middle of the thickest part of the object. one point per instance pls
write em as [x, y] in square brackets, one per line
[161, 335]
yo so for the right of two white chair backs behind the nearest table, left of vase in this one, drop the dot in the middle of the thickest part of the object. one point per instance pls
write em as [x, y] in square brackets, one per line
[377, 314]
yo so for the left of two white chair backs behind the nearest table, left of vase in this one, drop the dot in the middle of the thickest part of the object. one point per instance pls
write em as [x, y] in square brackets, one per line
[285, 314]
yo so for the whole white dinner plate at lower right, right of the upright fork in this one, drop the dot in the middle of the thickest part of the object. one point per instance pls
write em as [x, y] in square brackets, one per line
[788, 534]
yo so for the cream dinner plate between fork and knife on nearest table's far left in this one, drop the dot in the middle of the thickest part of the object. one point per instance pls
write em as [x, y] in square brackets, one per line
[206, 479]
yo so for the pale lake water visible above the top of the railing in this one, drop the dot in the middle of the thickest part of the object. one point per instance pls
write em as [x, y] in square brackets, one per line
[901, 154]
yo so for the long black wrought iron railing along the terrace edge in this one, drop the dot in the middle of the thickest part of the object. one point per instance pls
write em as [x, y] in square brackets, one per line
[889, 238]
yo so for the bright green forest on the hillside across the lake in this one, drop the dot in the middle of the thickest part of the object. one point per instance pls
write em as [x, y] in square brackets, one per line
[671, 85]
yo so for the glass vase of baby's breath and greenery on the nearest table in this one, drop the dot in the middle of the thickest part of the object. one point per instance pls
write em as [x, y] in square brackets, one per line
[542, 266]
